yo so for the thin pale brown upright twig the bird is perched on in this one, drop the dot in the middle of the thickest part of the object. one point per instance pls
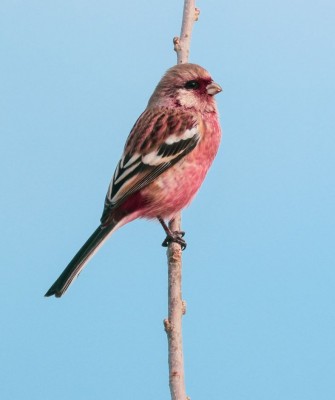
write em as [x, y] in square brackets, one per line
[176, 306]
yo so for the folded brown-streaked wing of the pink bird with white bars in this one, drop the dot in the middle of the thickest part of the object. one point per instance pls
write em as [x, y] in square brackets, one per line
[158, 140]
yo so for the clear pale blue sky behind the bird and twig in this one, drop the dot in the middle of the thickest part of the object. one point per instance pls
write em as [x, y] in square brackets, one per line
[259, 270]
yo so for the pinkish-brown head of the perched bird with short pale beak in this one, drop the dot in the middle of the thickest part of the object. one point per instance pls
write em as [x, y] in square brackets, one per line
[188, 86]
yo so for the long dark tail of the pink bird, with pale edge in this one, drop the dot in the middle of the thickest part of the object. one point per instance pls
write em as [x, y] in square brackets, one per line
[79, 261]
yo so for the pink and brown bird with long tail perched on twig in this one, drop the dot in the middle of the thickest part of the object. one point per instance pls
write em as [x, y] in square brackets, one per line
[166, 157]
